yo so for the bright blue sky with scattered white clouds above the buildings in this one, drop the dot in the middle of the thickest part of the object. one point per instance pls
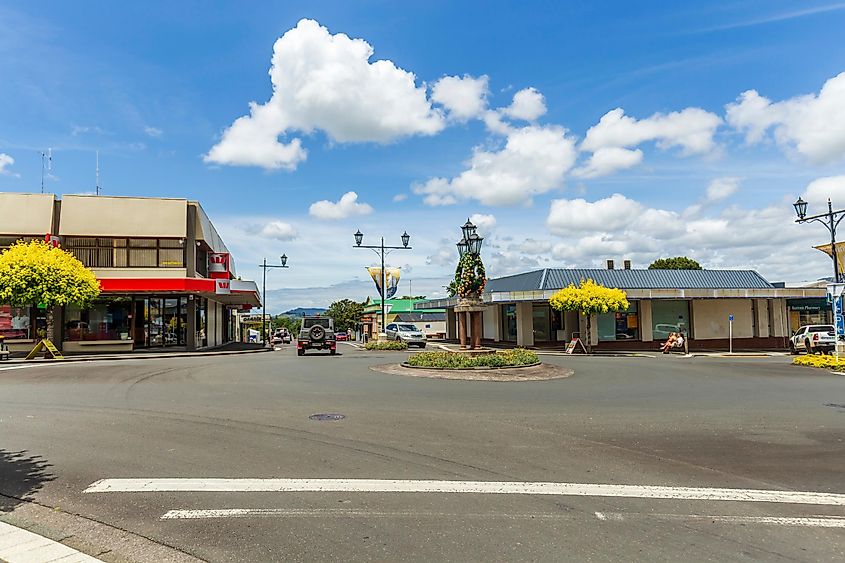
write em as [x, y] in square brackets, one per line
[569, 132]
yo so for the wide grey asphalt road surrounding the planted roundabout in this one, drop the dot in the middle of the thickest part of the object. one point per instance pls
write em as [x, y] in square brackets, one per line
[755, 423]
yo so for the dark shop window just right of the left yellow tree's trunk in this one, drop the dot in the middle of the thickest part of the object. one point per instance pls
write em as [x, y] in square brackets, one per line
[100, 321]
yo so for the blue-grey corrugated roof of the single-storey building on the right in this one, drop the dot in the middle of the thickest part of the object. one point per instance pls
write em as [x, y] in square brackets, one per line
[556, 278]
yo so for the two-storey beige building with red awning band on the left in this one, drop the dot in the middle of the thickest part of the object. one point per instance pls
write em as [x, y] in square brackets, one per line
[167, 278]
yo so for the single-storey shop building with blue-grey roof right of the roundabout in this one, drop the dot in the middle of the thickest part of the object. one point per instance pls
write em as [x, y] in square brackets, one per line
[697, 302]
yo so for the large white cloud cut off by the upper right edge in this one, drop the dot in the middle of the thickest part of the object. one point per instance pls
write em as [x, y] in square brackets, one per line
[813, 125]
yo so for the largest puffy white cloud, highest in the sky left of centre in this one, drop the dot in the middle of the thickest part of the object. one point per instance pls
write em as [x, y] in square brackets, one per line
[326, 82]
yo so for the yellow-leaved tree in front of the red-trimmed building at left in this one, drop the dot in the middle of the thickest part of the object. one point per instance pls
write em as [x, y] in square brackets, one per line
[36, 273]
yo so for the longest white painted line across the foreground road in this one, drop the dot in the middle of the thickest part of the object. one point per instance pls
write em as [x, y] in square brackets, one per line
[475, 487]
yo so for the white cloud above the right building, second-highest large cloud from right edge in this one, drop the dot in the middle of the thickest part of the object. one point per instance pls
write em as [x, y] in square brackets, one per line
[691, 129]
